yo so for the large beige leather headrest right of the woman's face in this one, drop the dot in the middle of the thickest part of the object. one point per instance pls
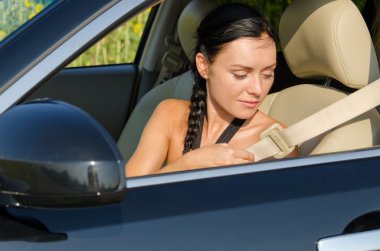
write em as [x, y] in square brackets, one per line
[328, 38]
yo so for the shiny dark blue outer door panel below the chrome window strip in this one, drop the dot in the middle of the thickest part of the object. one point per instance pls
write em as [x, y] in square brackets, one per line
[289, 209]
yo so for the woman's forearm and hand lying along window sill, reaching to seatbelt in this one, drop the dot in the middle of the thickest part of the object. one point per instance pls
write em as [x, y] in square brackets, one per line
[210, 156]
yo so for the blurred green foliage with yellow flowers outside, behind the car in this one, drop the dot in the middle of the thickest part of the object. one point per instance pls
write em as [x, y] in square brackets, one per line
[121, 45]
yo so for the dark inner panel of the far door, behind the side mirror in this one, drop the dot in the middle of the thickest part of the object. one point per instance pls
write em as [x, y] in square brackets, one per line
[105, 92]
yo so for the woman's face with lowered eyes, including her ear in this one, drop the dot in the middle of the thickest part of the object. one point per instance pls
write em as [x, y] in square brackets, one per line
[240, 76]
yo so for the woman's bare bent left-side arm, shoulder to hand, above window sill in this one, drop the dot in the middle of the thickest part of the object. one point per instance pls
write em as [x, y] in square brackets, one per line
[154, 143]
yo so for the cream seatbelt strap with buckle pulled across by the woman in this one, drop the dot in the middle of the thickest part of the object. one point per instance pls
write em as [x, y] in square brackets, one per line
[278, 142]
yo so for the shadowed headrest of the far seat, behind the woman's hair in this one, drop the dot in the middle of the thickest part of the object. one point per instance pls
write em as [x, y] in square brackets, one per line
[191, 16]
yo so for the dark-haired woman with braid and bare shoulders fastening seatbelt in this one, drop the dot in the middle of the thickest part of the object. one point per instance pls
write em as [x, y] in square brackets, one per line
[233, 70]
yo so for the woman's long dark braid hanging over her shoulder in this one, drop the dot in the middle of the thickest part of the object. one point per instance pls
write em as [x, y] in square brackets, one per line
[198, 110]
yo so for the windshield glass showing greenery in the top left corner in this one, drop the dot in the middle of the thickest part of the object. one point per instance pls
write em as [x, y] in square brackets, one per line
[15, 14]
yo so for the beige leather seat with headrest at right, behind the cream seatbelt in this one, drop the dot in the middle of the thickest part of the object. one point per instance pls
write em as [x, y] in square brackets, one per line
[326, 39]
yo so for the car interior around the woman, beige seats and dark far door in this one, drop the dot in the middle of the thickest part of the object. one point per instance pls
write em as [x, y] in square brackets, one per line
[326, 51]
